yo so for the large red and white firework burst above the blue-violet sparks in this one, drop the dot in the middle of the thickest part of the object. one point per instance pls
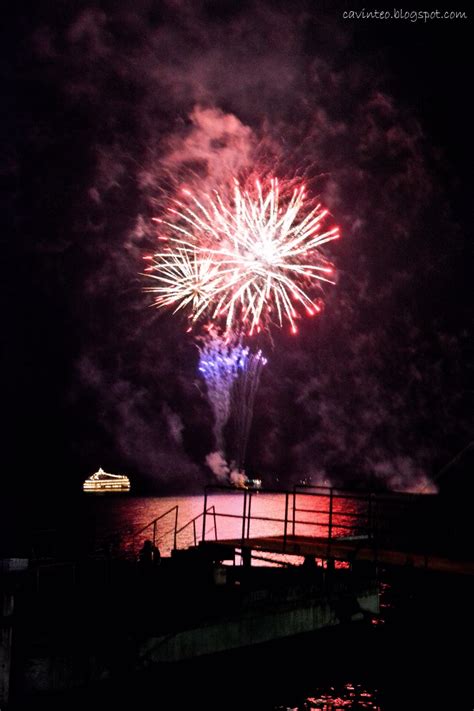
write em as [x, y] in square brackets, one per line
[245, 259]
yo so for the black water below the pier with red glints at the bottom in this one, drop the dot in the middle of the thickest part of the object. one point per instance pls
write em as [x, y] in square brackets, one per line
[414, 656]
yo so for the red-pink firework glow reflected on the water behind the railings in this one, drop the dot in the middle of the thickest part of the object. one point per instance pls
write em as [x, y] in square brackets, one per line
[121, 518]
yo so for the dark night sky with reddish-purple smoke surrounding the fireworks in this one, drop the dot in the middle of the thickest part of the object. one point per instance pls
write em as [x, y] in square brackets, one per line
[106, 103]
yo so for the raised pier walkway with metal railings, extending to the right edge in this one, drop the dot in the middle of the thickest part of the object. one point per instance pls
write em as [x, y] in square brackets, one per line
[383, 529]
